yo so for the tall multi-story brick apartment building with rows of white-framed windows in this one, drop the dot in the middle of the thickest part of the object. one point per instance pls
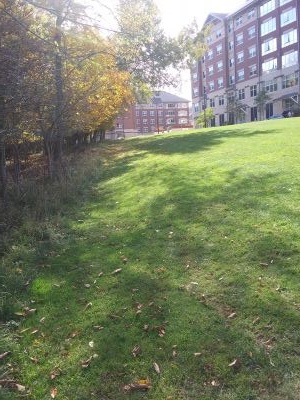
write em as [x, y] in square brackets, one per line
[250, 70]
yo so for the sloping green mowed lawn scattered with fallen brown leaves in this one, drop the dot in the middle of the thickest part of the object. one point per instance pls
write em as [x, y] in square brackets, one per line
[176, 271]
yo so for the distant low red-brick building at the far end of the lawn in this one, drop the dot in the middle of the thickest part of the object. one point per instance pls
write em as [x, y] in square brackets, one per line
[164, 112]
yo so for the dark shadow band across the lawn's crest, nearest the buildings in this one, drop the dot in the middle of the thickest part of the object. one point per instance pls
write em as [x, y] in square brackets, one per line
[198, 141]
